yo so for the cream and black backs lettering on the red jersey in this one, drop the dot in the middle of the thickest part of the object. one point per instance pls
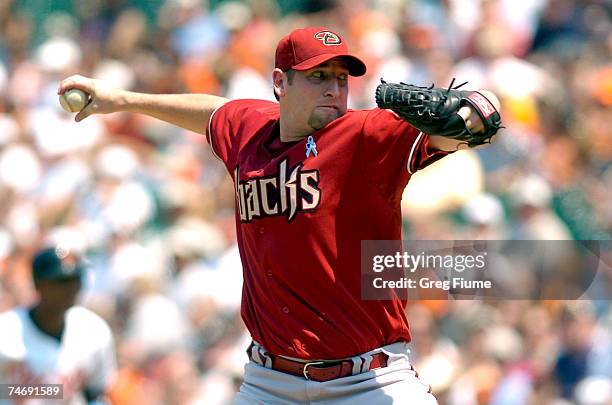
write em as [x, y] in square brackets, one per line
[289, 191]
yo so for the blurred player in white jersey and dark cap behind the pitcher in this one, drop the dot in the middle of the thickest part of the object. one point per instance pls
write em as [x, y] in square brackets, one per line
[54, 341]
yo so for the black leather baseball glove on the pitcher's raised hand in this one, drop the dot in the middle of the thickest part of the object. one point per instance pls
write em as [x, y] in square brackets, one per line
[434, 110]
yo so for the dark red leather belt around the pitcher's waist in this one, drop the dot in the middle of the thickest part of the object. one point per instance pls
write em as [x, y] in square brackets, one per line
[322, 371]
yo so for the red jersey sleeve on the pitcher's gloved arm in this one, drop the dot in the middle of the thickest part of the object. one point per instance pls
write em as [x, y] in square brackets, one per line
[394, 150]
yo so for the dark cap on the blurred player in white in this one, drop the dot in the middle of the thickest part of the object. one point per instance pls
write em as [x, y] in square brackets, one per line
[55, 263]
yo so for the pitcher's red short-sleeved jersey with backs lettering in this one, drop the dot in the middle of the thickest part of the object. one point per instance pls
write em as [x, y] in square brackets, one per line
[301, 219]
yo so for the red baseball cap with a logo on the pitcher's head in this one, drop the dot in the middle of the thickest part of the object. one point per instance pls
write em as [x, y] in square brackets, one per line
[308, 47]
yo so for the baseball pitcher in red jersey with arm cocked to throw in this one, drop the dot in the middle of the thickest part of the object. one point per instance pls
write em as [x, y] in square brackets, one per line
[312, 180]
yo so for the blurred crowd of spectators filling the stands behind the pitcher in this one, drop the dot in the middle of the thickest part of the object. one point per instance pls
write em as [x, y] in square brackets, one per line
[153, 211]
